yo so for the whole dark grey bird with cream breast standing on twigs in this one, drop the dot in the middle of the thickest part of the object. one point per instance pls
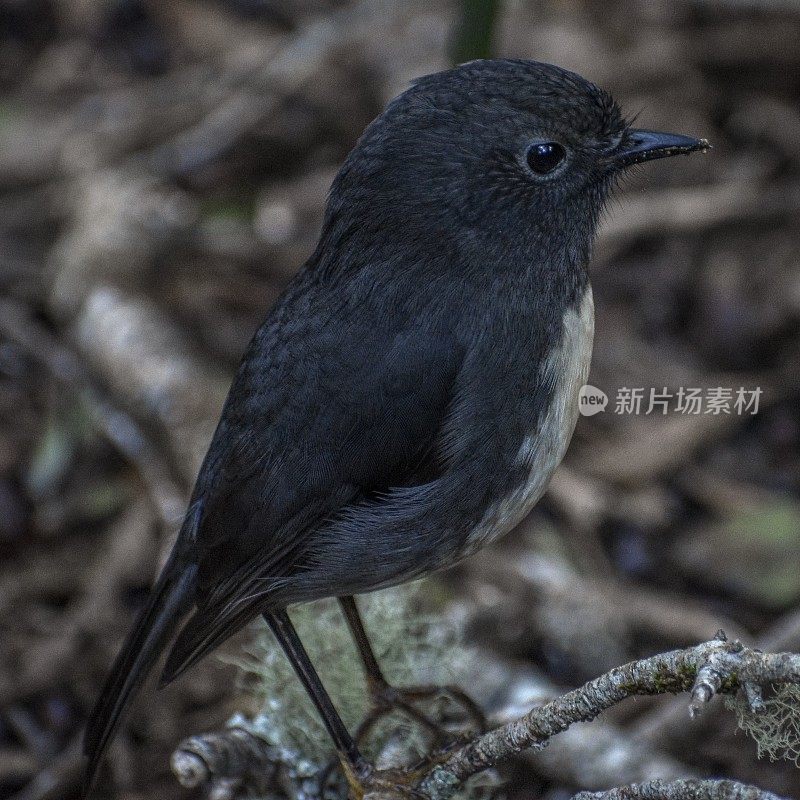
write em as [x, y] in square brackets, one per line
[409, 396]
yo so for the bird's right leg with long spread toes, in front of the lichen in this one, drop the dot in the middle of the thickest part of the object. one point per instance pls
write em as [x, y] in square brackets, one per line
[386, 697]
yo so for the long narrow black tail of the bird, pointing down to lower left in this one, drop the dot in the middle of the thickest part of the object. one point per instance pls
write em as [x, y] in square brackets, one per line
[168, 604]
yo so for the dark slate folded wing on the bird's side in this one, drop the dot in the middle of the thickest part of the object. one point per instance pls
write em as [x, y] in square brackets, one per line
[332, 406]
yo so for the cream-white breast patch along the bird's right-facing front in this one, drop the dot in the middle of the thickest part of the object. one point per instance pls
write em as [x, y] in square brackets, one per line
[534, 460]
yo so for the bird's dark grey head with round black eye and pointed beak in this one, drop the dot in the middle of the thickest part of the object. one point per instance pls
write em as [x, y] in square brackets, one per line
[496, 151]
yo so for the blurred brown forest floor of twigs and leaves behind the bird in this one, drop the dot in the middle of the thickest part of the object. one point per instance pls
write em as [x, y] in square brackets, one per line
[163, 170]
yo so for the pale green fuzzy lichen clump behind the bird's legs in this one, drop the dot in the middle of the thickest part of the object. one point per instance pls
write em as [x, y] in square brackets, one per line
[414, 641]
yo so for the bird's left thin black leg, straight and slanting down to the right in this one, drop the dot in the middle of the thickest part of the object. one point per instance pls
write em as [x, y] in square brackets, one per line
[287, 636]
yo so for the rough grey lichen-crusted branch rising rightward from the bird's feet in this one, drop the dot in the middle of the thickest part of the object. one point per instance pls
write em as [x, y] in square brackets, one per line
[715, 667]
